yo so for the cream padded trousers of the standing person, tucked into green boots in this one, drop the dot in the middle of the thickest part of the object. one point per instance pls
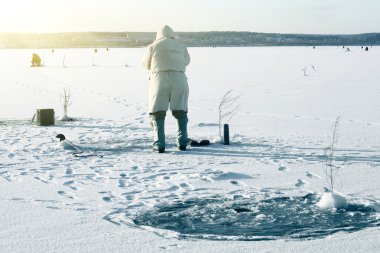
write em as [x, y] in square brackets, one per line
[168, 87]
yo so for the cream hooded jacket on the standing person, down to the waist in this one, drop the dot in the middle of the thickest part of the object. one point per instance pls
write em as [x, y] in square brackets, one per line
[166, 53]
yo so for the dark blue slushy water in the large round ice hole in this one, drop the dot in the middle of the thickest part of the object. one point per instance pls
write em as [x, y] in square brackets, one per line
[245, 219]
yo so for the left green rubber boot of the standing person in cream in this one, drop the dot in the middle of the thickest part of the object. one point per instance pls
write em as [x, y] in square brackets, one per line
[157, 121]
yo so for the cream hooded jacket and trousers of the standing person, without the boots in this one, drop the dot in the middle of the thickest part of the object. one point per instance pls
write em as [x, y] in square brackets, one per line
[167, 58]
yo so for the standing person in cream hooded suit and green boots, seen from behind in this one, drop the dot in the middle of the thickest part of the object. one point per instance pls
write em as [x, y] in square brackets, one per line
[167, 58]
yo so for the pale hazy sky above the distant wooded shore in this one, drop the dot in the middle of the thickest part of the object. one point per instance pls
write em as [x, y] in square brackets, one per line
[277, 16]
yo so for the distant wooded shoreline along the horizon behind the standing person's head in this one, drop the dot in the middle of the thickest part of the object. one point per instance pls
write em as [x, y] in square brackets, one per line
[192, 39]
